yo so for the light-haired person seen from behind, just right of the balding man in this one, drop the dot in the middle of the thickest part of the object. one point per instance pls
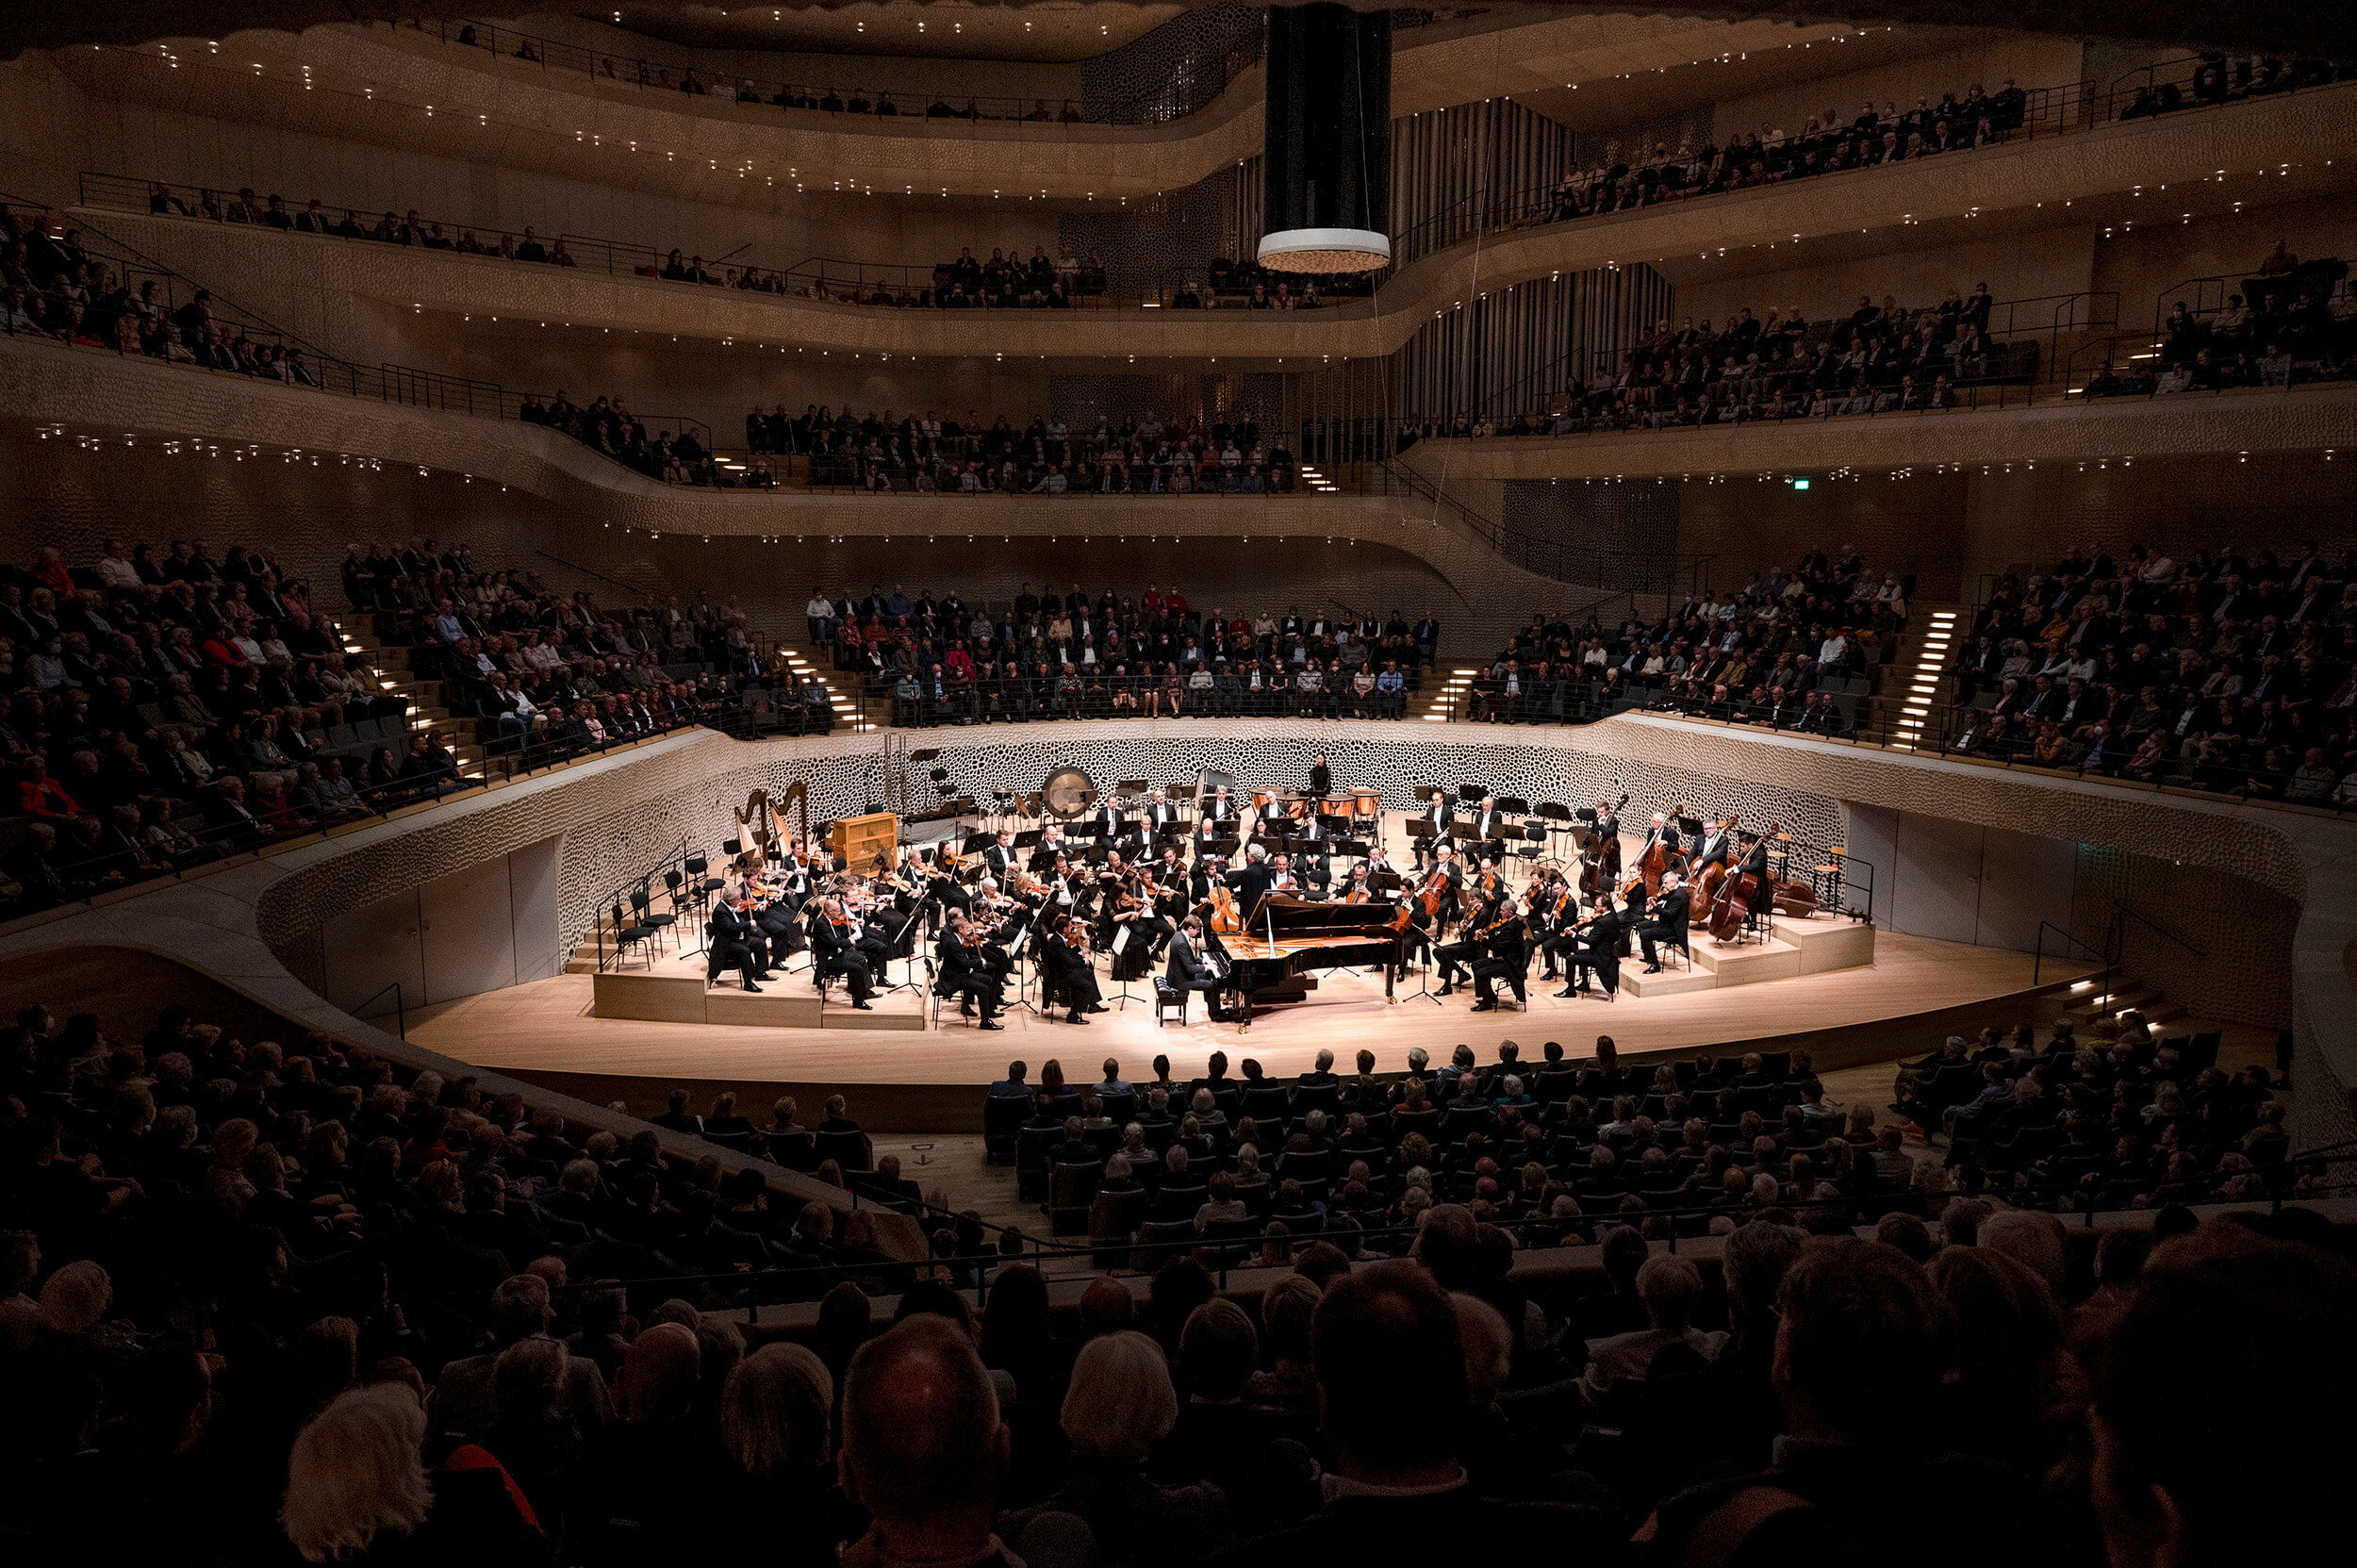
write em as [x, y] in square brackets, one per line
[1118, 1409]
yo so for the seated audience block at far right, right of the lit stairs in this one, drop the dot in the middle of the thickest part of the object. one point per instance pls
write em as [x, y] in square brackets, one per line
[2224, 671]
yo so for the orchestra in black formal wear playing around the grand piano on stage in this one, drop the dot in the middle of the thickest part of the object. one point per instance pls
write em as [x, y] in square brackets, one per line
[1239, 895]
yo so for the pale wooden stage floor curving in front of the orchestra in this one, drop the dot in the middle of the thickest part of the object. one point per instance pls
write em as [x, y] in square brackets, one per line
[1913, 994]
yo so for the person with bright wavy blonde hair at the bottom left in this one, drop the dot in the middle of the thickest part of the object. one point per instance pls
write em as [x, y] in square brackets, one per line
[359, 1494]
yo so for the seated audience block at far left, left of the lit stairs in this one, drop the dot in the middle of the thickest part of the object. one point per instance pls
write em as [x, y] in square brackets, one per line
[169, 706]
